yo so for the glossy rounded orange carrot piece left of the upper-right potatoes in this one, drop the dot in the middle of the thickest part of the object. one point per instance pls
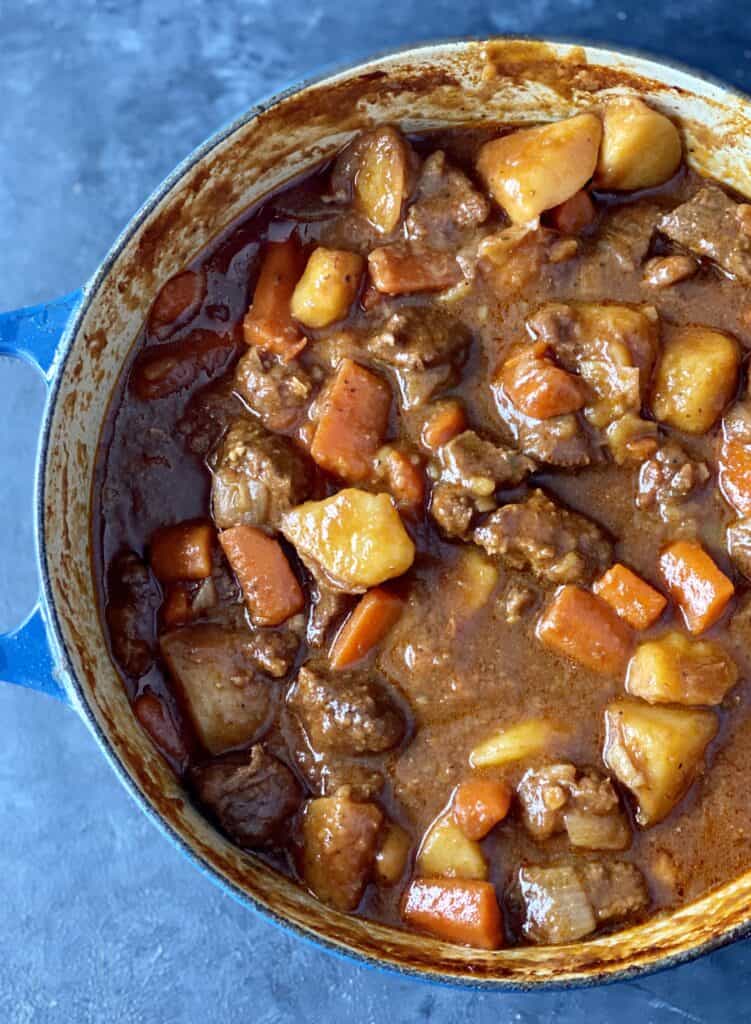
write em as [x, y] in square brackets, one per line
[540, 390]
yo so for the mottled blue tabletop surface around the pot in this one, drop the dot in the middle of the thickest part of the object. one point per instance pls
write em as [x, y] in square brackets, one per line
[101, 920]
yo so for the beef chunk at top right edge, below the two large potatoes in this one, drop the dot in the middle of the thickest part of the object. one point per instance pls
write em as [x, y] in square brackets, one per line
[713, 226]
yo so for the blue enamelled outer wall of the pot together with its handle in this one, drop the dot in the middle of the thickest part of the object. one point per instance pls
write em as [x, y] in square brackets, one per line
[34, 657]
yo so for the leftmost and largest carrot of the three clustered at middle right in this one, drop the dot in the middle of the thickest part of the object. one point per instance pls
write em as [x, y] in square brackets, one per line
[581, 627]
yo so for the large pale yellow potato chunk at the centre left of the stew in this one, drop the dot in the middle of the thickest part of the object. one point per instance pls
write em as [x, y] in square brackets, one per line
[356, 538]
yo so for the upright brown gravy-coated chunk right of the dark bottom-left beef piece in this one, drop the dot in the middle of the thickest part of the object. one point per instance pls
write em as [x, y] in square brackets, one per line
[340, 843]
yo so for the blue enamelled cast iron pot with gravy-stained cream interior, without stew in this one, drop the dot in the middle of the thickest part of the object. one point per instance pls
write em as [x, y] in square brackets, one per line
[81, 343]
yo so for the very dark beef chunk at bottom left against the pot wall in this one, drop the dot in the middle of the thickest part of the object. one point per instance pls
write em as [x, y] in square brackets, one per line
[252, 802]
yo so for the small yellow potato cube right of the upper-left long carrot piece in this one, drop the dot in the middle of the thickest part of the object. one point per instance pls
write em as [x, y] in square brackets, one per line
[327, 288]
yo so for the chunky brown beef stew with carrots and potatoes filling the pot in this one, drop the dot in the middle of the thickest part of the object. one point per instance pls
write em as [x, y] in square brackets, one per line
[425, 527]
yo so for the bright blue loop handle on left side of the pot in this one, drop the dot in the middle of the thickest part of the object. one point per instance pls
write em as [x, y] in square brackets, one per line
[33, 334]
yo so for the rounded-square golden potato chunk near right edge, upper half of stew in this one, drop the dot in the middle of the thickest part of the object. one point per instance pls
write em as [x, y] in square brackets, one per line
[696, 378]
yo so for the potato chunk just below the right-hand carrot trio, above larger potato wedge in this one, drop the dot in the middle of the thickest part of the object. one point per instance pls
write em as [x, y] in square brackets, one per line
[676, 669]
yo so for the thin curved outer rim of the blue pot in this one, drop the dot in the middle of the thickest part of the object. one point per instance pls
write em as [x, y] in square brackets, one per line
[60, 654]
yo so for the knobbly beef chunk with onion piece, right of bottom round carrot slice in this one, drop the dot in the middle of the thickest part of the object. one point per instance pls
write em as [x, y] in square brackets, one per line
[557, 799]
